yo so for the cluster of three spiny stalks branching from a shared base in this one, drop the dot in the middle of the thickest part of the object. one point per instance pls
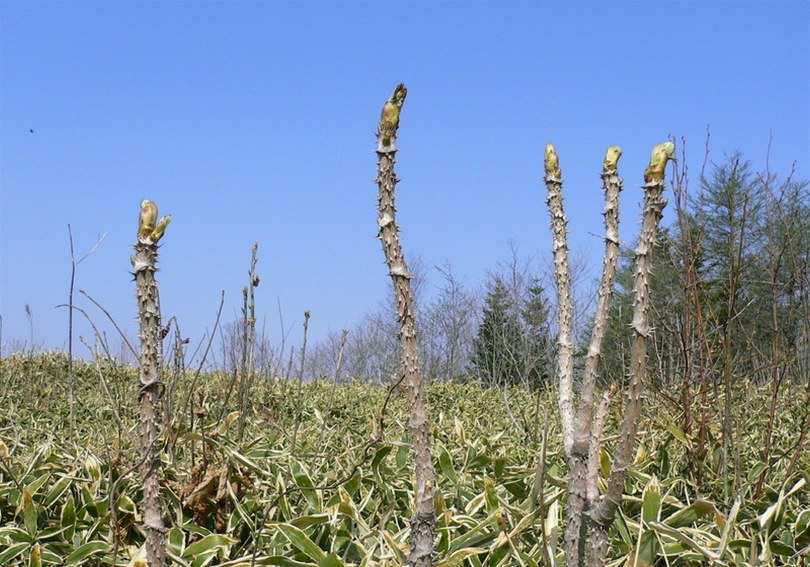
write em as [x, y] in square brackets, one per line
[589, 516]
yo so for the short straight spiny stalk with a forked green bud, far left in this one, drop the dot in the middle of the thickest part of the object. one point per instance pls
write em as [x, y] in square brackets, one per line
[144, 261]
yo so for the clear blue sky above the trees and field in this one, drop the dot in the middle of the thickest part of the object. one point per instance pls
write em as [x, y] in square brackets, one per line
[255, 121]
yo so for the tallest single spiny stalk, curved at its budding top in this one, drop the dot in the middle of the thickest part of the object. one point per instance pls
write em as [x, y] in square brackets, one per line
[423, 524]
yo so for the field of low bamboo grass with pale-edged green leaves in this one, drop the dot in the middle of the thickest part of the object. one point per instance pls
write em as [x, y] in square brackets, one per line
[326, 479]
